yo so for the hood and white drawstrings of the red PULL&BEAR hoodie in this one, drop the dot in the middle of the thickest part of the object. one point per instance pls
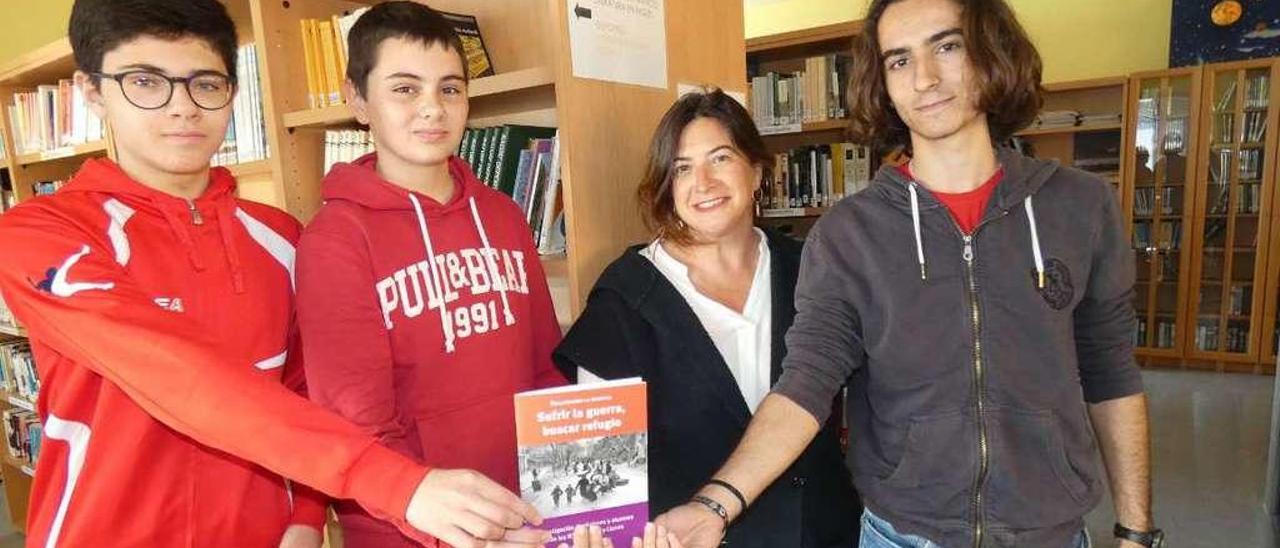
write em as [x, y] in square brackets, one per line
[360, 184]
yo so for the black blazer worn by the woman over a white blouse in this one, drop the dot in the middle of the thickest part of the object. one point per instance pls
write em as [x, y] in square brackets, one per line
[637, 325]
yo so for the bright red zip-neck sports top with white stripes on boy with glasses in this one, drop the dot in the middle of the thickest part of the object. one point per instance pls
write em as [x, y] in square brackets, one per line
[164, 336]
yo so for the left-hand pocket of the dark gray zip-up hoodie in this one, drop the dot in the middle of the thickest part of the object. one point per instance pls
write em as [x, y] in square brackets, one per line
[936, 473]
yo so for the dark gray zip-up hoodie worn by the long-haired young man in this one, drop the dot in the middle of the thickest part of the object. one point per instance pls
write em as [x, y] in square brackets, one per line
[970, 359]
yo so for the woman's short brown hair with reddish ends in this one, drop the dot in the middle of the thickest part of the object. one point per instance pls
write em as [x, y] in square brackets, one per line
[657, 204]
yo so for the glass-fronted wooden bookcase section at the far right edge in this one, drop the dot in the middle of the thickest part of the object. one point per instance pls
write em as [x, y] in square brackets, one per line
[1229, 318]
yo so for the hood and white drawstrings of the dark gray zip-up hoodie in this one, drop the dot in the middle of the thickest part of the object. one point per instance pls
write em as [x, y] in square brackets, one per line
[1022, 180]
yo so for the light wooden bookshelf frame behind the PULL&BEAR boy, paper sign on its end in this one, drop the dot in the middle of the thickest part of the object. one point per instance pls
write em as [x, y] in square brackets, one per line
[604, 135]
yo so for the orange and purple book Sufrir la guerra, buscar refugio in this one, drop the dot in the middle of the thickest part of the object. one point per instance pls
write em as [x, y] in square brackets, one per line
[584, 458]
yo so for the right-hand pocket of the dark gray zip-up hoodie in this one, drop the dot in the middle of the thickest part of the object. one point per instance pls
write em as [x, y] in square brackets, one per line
[1032, 482]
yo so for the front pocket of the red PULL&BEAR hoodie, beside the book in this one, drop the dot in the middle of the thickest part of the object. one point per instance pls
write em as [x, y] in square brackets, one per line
[479, 436]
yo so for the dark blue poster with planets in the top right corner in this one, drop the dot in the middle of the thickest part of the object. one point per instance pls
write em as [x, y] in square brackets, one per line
[1213, 31]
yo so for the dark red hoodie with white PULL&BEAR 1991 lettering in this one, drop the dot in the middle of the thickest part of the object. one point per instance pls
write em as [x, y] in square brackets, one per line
[422, 319]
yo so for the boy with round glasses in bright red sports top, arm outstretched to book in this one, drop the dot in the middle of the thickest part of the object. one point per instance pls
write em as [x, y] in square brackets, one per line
[161, 312]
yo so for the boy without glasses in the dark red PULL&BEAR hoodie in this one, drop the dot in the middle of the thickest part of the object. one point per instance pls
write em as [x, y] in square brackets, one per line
[422, 299]
